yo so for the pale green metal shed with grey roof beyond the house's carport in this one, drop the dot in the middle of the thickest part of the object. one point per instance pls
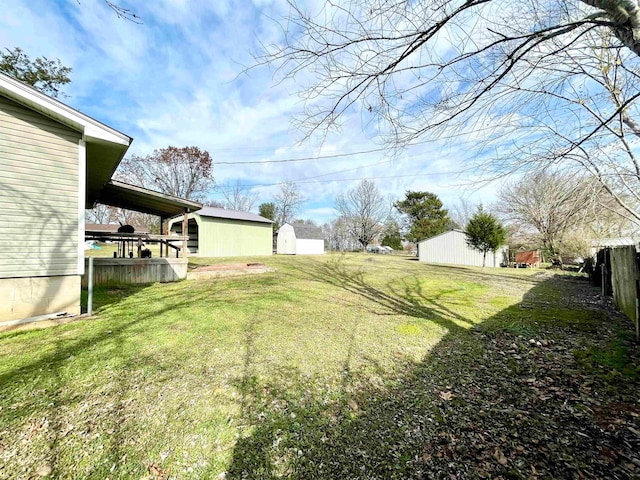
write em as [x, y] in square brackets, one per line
[217, 232]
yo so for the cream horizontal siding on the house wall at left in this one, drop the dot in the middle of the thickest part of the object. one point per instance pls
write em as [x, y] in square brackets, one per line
[39, 161]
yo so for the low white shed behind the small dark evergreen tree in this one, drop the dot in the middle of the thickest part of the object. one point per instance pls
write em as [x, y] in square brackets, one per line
[451, 248]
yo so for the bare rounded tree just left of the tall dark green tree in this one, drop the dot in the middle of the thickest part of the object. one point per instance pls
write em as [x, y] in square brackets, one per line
[364, 211]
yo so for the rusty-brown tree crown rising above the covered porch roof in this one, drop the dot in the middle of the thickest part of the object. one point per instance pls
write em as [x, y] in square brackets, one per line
[185, 172]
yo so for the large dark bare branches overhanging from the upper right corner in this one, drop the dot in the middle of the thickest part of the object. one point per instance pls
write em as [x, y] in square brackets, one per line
[541, 83]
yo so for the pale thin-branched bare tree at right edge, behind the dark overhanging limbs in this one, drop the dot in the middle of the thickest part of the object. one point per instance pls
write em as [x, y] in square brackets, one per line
[583, 113]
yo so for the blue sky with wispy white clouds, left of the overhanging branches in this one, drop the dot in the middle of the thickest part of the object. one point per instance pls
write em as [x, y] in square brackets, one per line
[179, 78]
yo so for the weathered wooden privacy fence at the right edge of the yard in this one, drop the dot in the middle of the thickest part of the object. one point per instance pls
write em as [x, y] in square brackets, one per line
[625, 282]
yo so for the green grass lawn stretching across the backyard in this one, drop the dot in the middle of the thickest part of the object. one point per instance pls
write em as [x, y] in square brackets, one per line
[248, 377]
